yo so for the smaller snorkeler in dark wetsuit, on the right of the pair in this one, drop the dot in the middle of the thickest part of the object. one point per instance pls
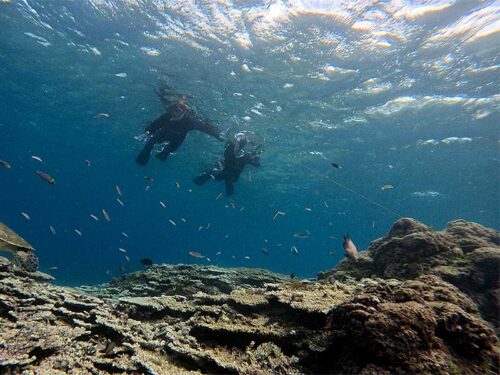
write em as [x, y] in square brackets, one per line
[235, 160]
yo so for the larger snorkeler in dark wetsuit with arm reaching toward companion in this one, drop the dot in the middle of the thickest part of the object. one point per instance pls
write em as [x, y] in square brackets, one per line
[173, 127]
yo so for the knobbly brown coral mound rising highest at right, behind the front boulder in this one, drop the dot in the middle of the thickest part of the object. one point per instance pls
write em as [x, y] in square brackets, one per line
[465, 254]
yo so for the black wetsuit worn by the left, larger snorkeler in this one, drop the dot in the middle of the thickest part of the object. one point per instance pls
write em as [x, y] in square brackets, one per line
[164, 129]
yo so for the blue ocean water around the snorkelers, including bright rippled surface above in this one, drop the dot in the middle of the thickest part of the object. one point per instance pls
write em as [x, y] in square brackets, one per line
[398, 93]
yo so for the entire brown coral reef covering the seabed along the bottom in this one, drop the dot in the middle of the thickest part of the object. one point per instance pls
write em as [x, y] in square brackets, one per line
[418, 301]
